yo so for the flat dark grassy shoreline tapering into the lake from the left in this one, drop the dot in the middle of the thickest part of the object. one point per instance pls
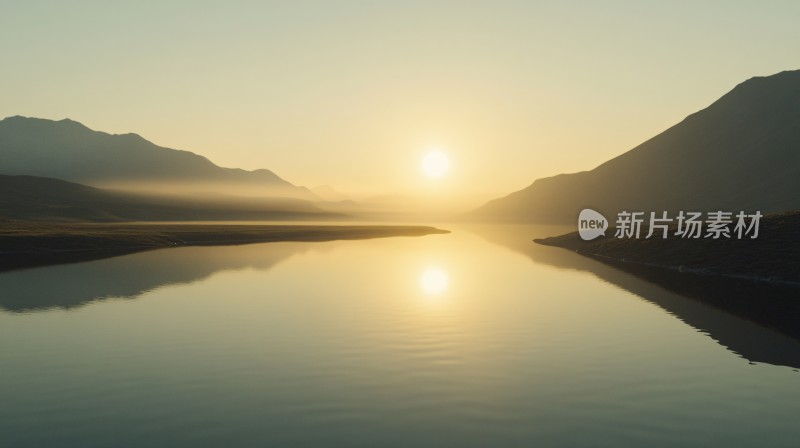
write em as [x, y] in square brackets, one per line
[26, 244]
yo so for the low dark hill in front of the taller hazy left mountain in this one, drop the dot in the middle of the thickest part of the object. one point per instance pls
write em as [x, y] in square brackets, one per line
[44, 199]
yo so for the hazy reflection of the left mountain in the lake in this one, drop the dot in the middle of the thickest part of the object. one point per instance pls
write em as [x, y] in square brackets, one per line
[74, 285]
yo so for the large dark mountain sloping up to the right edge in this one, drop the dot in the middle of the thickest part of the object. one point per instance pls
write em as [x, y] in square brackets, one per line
[740, 153]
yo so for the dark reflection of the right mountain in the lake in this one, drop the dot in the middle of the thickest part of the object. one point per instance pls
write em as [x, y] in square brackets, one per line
[756, 321]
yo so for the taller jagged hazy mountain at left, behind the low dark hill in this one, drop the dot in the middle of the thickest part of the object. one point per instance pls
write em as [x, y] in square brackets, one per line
[70, 151]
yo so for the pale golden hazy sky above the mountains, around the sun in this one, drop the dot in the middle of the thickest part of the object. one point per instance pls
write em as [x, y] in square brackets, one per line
[352, 94]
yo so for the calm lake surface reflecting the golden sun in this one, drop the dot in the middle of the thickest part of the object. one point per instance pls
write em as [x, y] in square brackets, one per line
[471, 339]
